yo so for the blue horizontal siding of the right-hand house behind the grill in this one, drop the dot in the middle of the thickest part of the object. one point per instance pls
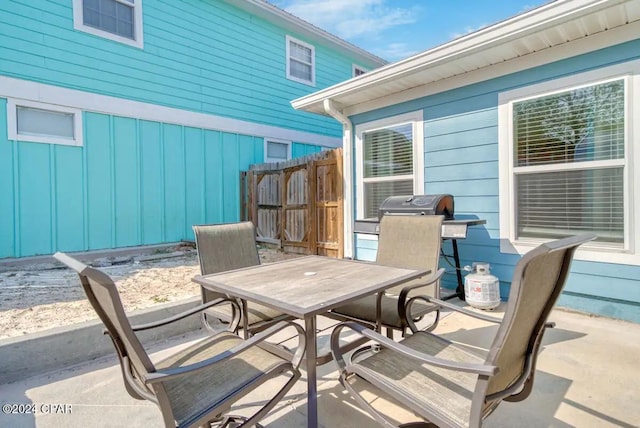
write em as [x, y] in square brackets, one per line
[461, 158]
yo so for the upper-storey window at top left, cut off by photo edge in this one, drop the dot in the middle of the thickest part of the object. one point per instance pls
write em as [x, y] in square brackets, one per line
[119, 20]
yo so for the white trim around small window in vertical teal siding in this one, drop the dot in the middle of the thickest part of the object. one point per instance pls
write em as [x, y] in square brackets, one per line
[12, 123]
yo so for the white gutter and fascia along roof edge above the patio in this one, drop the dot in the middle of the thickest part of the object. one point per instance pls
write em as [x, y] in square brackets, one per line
[549, 15]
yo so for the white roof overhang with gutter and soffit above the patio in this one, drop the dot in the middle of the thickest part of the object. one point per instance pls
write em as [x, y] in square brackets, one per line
[554, 31]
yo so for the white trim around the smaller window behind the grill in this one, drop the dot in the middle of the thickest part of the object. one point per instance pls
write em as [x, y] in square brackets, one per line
[416, 118]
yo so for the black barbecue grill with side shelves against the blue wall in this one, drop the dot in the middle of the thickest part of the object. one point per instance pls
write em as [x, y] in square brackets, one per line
[425, 205]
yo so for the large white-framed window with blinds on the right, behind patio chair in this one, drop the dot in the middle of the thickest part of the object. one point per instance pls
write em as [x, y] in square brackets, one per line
[569, 169]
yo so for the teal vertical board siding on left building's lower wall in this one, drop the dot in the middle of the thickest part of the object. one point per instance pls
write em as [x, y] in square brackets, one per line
[135, 182]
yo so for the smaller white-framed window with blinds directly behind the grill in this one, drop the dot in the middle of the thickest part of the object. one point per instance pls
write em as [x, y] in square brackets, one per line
[389, 154]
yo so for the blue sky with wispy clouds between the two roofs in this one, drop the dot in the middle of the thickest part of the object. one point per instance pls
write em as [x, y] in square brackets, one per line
[396, 29]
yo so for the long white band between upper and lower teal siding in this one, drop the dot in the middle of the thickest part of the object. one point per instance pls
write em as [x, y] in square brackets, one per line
[87, 101]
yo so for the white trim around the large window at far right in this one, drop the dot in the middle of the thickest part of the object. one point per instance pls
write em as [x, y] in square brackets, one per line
[598, 252]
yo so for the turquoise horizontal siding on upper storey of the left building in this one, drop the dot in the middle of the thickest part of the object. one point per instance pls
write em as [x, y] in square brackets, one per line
[205, 61]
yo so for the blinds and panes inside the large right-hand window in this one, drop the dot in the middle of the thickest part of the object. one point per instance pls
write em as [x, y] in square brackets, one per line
[560, 189]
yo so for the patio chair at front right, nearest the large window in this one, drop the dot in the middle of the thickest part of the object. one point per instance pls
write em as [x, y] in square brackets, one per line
[443, 383]
